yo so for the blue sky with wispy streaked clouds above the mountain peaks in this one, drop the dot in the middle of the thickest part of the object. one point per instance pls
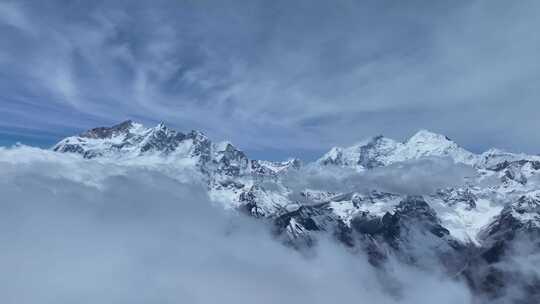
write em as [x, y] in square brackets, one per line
[277, 78]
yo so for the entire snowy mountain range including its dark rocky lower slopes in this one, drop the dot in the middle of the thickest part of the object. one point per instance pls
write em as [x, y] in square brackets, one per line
[474, 229]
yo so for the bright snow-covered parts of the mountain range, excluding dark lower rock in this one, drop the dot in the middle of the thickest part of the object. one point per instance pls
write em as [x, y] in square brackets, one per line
[256, 186]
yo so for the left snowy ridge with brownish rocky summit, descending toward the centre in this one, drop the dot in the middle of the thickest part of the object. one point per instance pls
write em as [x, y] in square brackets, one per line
[130, 140]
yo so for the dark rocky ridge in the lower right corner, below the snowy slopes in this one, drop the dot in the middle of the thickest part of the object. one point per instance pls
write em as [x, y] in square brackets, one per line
[513, 235]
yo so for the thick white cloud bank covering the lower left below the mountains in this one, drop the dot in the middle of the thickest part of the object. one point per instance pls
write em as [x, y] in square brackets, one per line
[77, 231]
